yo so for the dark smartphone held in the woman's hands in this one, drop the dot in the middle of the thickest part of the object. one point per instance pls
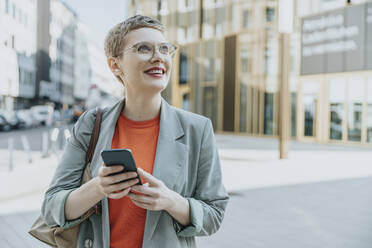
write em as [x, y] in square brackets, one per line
[120, 157]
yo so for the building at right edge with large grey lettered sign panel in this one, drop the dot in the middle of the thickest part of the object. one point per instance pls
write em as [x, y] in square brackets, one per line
[335, 79]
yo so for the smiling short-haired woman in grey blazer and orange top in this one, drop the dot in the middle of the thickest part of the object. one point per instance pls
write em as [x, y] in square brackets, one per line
[175, 152]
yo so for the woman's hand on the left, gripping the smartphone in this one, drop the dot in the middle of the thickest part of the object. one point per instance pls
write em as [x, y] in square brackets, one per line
[108, 185]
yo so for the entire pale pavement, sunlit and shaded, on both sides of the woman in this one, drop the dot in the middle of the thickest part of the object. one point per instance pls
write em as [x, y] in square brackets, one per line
[255, 178]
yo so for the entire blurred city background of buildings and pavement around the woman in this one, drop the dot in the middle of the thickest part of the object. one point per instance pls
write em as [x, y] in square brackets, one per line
[285, 79]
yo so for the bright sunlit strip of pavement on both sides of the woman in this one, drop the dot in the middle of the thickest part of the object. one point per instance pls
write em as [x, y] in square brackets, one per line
[22, 189]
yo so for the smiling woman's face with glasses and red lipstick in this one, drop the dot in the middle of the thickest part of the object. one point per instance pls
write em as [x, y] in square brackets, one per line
[143, 72]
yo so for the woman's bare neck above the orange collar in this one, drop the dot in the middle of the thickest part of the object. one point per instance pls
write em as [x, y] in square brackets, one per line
[142, 108]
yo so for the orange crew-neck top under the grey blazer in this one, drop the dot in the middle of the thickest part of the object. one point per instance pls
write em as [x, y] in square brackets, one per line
[127, 221]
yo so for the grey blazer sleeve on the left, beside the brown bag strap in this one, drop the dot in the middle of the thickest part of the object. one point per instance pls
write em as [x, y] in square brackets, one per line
[68, 174]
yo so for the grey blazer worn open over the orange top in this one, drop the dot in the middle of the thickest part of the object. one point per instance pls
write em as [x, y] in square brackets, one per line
[186, 161]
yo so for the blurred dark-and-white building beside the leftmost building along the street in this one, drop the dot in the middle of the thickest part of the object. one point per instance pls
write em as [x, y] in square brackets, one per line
[56, 34]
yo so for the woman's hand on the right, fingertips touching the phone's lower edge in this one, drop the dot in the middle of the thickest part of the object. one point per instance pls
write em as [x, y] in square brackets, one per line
[154, 195]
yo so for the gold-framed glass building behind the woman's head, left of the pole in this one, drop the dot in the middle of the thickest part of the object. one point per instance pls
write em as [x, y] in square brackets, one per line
[225, 61]
